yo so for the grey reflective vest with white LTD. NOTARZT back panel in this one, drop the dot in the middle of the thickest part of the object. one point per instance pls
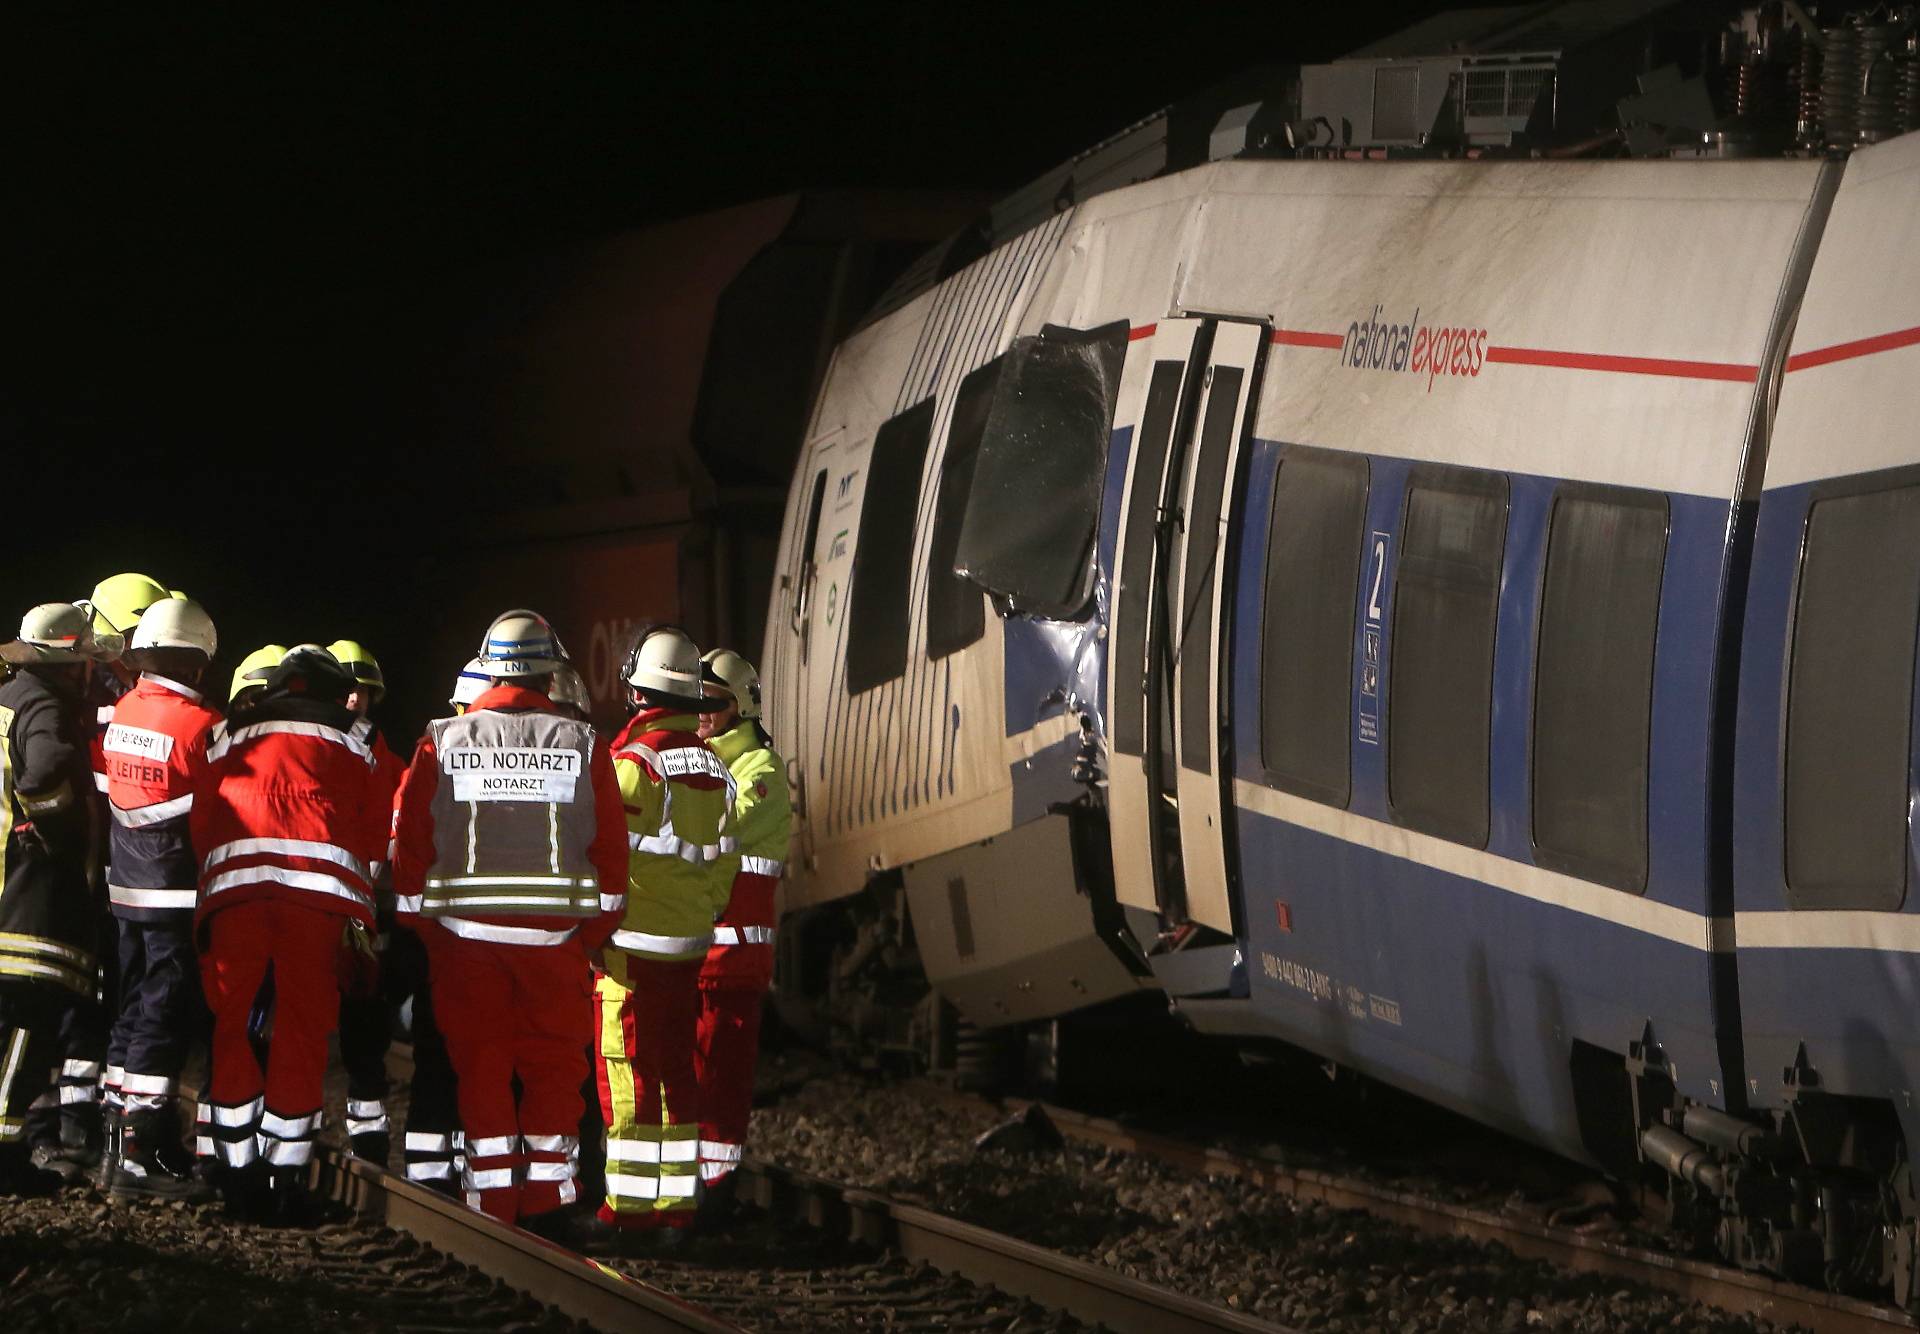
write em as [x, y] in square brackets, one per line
[514, 819]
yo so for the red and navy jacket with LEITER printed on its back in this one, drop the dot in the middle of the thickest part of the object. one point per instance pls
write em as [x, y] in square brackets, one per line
[155, 753]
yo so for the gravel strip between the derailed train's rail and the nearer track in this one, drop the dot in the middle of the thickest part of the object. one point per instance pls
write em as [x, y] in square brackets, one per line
[1295, 1262]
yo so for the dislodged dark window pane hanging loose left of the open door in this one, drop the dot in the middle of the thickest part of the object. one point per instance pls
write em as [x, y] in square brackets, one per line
[1040, 473]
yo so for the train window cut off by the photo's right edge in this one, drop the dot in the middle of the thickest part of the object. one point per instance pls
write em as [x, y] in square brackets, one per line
[1850, 702]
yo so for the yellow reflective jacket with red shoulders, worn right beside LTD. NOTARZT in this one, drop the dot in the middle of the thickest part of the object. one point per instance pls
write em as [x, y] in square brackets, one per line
[679, 805]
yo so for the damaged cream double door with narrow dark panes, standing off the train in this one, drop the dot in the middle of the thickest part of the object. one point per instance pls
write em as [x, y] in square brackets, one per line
[1170, 774]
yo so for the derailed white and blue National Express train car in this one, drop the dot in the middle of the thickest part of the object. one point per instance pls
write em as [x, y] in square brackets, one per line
[1452, 617]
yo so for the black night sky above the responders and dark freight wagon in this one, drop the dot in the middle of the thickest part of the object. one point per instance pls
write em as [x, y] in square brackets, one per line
[249, 245]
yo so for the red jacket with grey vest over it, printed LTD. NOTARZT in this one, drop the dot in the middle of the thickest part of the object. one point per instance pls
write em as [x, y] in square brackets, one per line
[496, 847]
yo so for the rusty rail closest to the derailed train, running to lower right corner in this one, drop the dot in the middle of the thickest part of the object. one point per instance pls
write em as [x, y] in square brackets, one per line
[1733, 1291]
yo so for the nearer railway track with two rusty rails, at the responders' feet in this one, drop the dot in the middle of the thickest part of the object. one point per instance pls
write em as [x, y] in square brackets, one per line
[871, 1262]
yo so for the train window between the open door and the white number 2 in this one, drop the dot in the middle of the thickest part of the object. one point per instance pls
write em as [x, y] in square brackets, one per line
[1307, 655]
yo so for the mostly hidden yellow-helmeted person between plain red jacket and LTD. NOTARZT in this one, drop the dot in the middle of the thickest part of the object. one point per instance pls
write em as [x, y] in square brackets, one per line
[368, 1022]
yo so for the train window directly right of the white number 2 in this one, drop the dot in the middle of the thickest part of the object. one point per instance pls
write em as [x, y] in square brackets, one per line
[1441, 677]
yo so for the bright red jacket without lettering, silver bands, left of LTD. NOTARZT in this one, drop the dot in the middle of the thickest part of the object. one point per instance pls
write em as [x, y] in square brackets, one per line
[291, 809]
